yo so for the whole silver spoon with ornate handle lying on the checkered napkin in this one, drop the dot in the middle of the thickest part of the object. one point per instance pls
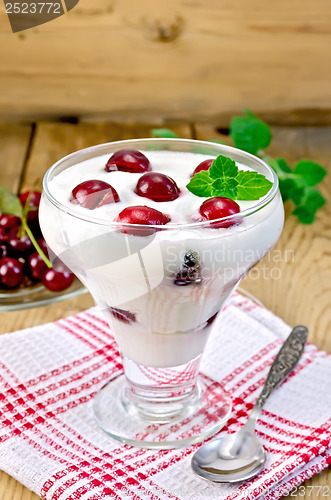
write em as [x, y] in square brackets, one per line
[239, 456]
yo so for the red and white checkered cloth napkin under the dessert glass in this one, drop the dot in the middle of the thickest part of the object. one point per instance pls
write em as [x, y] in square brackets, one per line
[50, 442]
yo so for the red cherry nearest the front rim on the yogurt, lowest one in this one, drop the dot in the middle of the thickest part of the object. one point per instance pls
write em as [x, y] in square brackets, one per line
[141, 215]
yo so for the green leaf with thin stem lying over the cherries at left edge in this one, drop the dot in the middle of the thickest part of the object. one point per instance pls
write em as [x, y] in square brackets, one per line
[10, 204]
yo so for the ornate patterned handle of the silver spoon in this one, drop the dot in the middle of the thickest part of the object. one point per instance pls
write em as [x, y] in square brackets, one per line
[284, 362]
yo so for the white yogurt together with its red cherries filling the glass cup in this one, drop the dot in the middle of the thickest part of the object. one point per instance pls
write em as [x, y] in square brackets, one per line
[150, 251]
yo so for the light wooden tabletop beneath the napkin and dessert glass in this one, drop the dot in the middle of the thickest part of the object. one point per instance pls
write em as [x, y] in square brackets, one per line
[294, 281]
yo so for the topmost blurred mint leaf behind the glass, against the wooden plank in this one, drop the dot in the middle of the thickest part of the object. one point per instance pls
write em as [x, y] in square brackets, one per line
[249, 133]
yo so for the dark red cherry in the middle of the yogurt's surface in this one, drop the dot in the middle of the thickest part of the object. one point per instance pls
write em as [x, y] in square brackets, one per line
[157, 187]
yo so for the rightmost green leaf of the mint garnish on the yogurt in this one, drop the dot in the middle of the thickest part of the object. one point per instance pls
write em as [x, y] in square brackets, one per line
[251, 185]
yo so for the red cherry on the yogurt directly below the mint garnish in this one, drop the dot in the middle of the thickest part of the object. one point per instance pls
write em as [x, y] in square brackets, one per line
[218, 207]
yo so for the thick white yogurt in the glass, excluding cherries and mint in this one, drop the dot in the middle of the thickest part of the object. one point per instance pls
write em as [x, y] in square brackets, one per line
[165, 324]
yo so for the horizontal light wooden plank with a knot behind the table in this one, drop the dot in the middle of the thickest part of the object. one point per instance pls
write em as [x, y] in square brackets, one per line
[198, 59]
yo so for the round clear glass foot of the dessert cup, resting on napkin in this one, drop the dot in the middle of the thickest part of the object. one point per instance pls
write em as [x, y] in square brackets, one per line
[146, 424]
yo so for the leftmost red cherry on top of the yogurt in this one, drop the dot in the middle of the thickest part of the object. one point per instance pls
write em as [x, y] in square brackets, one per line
[93, 194]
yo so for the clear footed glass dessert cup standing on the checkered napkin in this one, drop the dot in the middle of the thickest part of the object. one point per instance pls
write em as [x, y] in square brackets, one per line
[135, 274]
